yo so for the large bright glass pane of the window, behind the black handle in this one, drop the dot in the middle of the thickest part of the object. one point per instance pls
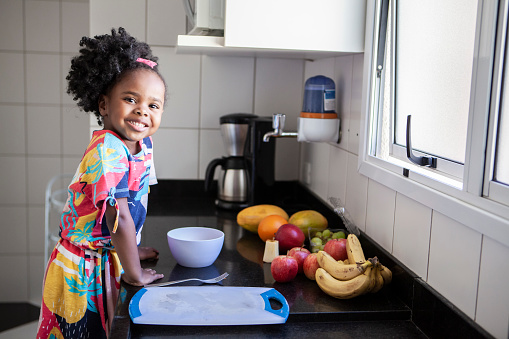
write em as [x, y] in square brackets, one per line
[434, 55]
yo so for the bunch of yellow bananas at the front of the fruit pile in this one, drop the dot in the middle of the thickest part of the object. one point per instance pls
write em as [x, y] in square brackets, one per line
[352, 277]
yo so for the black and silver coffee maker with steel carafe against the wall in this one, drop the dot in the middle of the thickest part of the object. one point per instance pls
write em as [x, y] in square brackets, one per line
[247, 172]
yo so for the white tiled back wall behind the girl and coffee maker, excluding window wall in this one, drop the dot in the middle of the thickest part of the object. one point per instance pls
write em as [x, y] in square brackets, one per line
[43, 133]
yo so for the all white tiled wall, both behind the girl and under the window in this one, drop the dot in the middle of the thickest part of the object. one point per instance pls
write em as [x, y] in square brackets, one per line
[42, 133]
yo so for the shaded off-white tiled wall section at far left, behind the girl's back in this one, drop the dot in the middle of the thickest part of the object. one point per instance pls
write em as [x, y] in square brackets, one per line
[42, 133]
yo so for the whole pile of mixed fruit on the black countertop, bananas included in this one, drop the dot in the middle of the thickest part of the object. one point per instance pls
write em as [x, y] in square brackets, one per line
[336, 261]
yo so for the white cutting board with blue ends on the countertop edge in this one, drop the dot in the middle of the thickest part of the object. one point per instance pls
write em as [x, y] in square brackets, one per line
[207, 305]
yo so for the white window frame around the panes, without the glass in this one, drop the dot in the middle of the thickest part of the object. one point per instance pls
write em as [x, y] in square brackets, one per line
[467, 205]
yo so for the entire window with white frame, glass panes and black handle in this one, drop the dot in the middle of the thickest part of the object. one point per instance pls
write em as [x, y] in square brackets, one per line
[444, 63]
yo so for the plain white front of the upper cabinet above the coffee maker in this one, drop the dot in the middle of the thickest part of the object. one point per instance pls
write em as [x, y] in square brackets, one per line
[317, 25]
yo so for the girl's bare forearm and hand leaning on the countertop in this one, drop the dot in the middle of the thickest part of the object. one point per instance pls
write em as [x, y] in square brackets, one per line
[124, 241]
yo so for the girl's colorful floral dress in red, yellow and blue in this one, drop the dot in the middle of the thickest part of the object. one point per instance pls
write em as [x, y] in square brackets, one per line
[82, 278]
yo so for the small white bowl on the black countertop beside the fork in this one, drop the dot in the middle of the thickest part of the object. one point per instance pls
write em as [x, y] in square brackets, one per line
[195, 246]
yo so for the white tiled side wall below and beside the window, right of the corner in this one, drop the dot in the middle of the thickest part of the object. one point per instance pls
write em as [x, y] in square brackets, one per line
[465, 266]
